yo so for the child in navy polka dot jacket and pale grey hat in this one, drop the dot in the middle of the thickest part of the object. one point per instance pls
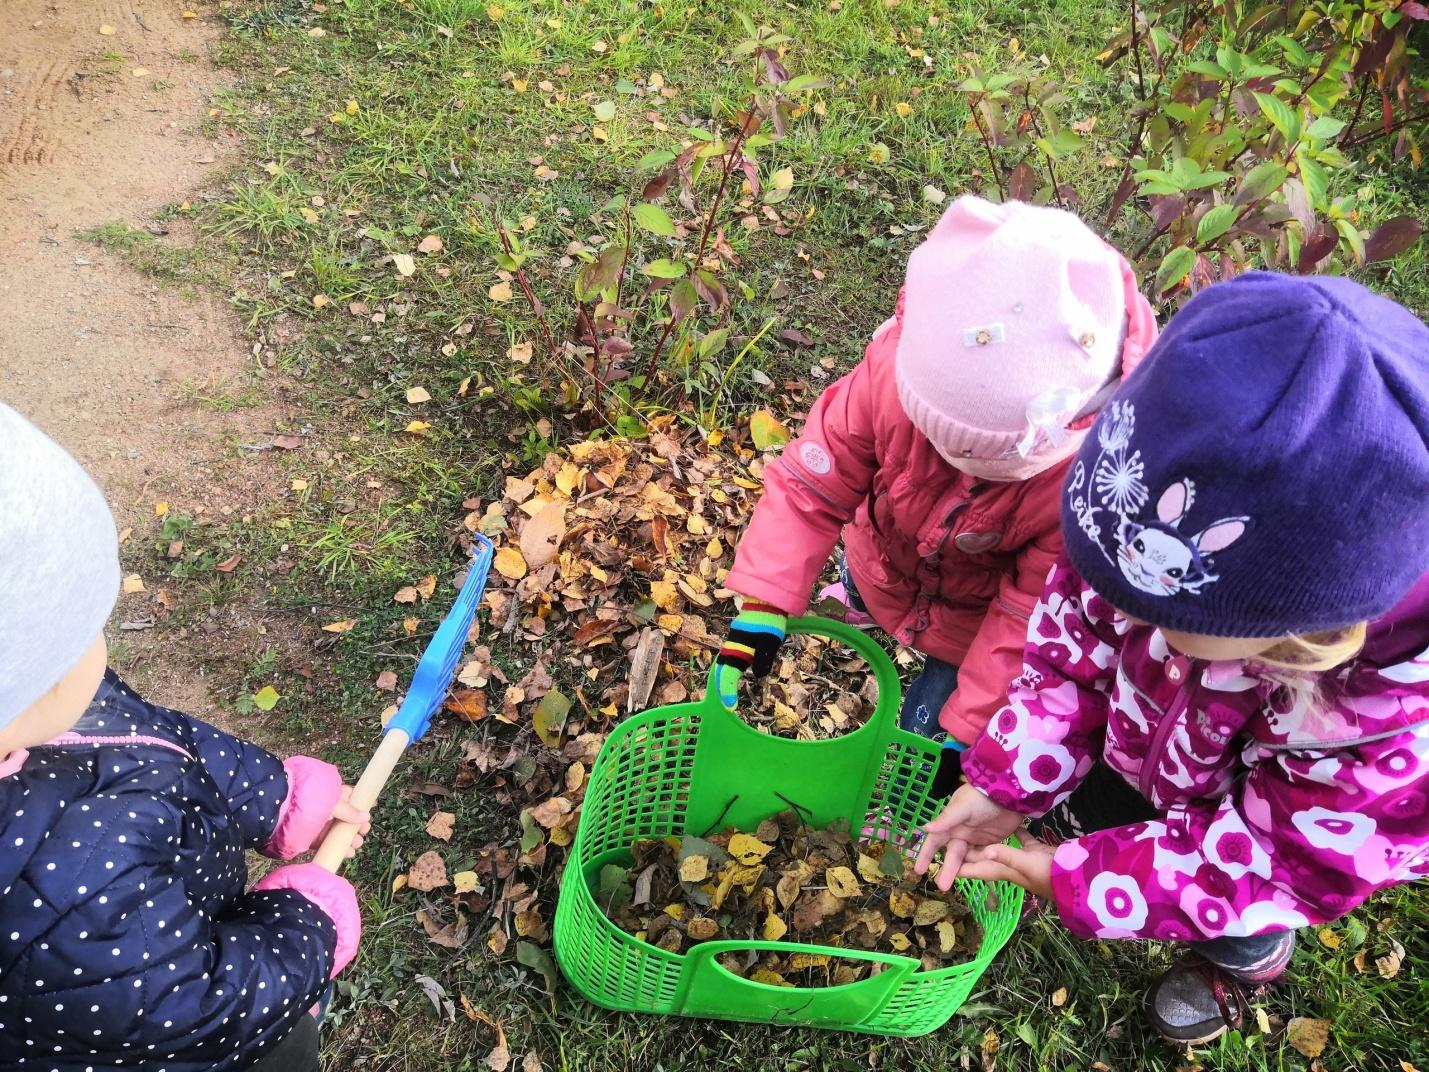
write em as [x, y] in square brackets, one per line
[126, 935]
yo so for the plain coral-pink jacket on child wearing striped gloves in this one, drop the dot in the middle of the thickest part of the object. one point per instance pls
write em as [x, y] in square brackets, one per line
[945, 564]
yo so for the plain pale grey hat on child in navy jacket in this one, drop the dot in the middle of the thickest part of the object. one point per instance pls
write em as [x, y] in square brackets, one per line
[59, 564]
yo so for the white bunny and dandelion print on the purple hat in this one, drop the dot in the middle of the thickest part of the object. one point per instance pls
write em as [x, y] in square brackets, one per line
[1154, 555]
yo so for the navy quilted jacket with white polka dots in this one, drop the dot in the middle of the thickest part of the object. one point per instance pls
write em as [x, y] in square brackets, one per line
[126, 935]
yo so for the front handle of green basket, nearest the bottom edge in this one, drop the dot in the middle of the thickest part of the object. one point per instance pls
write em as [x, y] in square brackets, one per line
[709, 988]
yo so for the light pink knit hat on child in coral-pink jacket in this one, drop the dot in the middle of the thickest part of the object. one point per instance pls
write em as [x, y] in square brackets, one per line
[1017, 322]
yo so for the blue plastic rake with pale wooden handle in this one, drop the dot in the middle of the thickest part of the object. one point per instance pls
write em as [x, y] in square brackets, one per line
[429, 690]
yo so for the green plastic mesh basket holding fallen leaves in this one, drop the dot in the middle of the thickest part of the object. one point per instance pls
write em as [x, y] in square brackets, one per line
[695, 767]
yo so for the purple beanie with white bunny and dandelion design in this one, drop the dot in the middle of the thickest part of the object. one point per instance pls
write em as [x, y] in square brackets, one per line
[1267, 470]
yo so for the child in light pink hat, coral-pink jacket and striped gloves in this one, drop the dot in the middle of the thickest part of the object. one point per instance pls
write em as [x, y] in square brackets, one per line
[940, 458]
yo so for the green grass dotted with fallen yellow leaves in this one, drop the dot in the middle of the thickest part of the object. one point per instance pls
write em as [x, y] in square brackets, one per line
[439, 137]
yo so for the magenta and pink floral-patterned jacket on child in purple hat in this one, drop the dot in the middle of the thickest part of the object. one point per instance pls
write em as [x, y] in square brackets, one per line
[1278, 811]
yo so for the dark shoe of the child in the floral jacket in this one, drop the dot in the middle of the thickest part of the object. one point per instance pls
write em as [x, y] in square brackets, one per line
[1200, 1001]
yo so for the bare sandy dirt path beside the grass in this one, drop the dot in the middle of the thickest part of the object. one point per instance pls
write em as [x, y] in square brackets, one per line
[101, 105]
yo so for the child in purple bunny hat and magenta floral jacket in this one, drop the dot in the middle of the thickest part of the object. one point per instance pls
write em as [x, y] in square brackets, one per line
[1225, 707]
